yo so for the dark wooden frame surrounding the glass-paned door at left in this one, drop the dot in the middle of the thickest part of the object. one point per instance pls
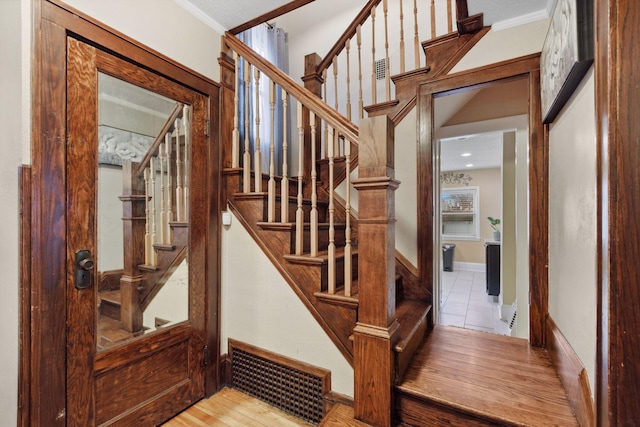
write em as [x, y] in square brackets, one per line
[44, 404]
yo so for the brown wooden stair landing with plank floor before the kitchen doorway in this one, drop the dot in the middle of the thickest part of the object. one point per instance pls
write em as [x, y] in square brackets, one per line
[481, 379]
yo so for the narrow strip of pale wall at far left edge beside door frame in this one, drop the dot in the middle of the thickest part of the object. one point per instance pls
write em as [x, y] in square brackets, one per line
[12, 114]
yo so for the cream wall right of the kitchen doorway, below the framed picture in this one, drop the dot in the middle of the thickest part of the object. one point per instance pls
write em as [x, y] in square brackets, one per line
[572, 224]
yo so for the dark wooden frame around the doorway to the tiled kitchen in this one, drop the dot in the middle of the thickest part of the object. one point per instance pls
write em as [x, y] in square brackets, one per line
[529, 68]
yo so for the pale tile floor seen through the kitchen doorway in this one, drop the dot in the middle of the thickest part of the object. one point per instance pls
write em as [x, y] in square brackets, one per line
[465, 303]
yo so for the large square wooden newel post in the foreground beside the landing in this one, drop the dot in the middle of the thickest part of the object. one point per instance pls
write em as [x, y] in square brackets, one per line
[377, 329]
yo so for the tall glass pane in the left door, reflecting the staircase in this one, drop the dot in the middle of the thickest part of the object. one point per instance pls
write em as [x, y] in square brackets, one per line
[143, 170]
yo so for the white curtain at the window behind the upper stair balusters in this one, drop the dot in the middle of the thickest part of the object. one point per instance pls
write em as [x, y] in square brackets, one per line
[270, 42]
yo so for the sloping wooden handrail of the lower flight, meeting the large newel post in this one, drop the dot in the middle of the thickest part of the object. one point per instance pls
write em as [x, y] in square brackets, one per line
[308, 99]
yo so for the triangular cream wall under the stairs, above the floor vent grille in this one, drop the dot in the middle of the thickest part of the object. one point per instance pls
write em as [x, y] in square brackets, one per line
[260, 308]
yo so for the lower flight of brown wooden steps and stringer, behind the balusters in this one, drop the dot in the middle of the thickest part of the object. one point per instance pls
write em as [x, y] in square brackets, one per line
[307, 275]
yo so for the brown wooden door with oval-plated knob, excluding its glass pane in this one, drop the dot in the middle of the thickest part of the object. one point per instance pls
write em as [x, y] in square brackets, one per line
[157, 375]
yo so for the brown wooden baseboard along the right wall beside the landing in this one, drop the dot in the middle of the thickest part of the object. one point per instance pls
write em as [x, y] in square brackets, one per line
[572, 374]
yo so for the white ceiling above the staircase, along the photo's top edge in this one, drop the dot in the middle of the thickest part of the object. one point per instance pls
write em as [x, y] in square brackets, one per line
[226, 14]
